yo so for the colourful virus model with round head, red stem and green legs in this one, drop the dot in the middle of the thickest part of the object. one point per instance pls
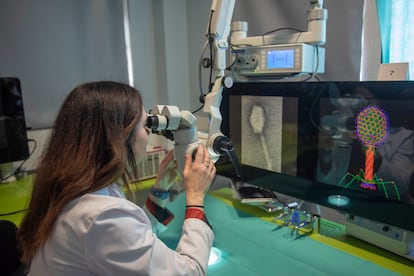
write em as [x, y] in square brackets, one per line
[372, 130]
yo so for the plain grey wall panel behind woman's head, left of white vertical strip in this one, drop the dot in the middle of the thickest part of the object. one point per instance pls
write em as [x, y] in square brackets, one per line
[54, 45]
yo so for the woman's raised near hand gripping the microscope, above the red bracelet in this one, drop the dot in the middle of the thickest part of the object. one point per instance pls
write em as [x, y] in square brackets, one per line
[198, 176]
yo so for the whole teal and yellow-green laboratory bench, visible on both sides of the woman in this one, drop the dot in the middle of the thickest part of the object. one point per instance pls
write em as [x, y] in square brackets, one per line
[252, 242]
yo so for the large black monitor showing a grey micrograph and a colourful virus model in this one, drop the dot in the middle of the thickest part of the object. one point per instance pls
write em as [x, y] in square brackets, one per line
[311, 140]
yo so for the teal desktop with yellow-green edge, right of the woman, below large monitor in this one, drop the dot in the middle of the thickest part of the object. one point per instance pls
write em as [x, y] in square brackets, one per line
[252, 245]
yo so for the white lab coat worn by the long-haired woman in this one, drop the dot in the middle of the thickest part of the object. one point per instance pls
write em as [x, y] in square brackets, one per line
[105, 234]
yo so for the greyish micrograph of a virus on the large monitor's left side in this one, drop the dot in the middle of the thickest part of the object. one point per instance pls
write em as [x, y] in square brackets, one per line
[269, 132]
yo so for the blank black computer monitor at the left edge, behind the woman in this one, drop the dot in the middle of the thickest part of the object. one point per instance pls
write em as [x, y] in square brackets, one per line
[13, 135]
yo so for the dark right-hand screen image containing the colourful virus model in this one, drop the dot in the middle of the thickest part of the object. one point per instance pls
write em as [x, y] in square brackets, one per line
[367, 144]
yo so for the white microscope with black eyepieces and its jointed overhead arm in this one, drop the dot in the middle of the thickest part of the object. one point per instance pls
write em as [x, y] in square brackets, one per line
[182, 124]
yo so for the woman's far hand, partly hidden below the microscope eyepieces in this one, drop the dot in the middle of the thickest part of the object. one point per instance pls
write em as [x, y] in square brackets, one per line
[167, 173]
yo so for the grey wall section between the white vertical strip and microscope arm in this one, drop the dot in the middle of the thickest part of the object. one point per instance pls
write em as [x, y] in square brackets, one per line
[160, 51]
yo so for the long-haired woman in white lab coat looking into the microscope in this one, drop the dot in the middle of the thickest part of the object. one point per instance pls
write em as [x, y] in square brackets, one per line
[79, 222]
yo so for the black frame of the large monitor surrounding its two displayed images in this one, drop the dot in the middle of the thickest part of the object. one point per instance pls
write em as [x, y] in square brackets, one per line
[374, 207]
